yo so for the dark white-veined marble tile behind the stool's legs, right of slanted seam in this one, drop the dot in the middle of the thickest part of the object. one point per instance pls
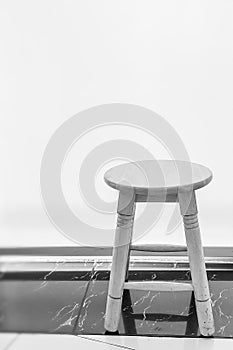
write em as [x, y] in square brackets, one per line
[158, 313]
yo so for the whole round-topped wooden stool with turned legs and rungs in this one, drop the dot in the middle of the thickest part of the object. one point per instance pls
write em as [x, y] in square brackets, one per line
[158, 181]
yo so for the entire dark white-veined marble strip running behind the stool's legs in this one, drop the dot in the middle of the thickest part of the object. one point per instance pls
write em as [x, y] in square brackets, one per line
[75, 304]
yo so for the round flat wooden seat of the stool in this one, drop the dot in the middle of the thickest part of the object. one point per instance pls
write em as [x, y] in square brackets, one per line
[158, 176]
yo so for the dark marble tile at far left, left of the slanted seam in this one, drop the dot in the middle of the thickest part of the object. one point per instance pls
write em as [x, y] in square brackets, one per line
[40, 307]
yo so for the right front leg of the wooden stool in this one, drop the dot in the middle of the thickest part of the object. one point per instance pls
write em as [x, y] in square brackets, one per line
[200, 283]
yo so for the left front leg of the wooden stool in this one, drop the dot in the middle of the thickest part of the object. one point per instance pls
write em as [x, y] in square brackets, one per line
[123, 235]
